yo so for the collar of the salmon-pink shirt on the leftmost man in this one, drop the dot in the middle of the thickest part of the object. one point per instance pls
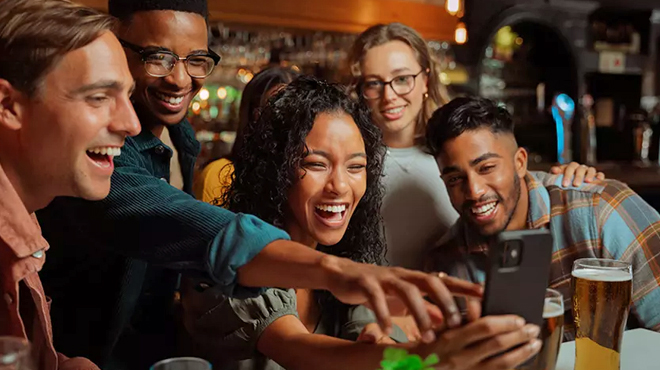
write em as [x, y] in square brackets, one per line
[18, 229]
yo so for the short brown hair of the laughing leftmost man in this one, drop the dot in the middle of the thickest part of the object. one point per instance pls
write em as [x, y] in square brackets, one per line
[36, 34]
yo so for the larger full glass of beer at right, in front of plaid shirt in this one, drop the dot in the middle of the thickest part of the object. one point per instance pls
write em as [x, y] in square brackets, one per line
[602, 291]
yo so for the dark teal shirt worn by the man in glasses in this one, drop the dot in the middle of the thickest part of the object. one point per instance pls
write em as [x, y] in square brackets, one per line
[116, 257]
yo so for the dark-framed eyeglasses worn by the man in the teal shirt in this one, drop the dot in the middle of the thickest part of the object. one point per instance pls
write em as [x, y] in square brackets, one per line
[159, 62]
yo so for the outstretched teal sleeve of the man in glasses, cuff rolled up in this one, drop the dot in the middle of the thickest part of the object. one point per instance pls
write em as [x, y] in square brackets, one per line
[145, 218]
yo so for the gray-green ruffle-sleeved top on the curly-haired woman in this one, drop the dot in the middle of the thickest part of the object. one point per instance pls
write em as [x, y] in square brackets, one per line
[226, 330]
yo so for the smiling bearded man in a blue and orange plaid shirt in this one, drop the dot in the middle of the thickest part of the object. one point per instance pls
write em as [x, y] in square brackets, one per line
[489, 185]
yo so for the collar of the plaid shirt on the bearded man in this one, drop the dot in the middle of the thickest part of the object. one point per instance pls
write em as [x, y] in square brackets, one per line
[538, 215]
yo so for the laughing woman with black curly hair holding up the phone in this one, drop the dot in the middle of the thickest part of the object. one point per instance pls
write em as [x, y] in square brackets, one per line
[312, 165]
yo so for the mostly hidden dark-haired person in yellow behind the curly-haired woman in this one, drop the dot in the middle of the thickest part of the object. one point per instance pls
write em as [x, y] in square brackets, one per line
[216, 176]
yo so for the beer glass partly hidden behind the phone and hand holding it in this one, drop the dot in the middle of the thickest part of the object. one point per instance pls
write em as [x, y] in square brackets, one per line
[552, 333]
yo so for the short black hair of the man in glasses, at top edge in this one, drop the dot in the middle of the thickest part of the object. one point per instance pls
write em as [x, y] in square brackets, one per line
[124, 9]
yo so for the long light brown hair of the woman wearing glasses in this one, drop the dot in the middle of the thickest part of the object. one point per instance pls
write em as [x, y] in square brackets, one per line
[383, 33]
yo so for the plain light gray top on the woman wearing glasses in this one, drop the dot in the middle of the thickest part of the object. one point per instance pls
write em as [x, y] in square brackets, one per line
[416, 208]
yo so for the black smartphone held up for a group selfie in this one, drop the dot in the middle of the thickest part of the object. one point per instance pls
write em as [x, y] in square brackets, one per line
[517, 274]
